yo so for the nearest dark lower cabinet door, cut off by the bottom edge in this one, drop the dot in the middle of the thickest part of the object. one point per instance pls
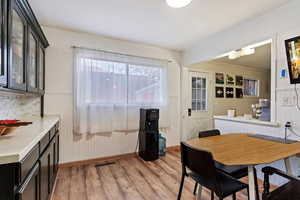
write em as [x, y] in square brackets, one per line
[30, 188]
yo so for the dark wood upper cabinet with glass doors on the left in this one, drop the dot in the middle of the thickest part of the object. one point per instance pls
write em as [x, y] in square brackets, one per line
[22, 48]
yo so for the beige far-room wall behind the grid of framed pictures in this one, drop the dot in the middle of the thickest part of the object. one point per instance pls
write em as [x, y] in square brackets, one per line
[243, 105]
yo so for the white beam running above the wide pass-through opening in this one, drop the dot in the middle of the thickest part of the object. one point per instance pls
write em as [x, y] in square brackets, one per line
[264, 27]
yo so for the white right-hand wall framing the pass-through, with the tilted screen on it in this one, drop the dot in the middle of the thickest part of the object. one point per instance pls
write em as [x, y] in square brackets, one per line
[278, 24]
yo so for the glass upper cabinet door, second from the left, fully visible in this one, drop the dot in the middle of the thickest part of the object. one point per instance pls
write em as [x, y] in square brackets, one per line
[17, 72]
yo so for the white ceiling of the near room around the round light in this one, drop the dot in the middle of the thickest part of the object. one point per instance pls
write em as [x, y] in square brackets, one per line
[150, 21]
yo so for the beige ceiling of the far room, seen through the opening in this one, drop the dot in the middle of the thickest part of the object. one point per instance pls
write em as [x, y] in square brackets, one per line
[261, 58]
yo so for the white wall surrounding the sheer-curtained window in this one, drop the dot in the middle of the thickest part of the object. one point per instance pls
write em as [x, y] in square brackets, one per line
[58, 97]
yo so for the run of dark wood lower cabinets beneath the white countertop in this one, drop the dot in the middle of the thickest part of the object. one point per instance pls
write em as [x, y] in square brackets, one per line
[39, 179]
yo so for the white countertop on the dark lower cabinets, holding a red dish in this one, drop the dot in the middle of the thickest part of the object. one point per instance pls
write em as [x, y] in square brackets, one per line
[15, 145]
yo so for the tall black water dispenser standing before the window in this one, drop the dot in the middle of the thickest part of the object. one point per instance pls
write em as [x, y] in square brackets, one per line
[149, 134]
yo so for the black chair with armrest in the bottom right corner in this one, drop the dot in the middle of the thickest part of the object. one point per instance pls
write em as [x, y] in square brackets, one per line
[288, 191]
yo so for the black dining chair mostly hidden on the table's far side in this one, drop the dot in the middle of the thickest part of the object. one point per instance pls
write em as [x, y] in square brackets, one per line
[237, 172]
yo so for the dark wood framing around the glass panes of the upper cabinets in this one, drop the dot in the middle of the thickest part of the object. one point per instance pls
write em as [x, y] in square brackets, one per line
[31, 25]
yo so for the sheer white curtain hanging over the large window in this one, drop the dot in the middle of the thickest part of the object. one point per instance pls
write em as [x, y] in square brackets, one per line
[110, 89]
